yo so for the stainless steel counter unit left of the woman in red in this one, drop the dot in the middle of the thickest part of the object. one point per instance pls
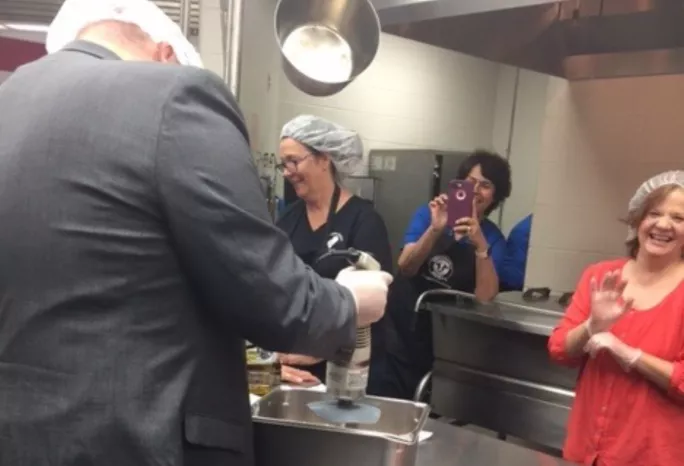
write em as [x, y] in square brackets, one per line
[492, 368]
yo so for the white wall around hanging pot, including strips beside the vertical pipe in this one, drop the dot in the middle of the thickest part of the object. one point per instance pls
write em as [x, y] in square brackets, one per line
[413, 95]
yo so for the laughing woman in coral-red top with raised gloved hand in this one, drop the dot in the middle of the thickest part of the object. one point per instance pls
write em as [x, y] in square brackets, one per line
[625, 329]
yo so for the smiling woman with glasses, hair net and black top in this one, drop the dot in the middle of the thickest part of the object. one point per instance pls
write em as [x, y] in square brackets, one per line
[314, 153]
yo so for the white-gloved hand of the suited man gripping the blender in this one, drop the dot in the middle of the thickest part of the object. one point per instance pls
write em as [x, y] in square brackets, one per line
[369, 289]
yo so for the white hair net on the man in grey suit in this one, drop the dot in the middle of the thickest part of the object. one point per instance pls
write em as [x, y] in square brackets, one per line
[75, 15]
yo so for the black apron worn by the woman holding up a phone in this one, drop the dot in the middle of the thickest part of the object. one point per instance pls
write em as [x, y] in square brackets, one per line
[450, 265]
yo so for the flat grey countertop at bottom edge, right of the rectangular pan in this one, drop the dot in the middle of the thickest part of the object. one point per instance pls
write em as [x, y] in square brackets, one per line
[453, 446]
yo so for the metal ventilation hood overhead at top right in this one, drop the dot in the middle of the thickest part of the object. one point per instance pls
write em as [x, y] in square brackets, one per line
[574, 39]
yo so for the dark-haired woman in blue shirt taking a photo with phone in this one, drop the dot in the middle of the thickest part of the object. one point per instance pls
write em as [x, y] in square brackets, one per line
[468, 258]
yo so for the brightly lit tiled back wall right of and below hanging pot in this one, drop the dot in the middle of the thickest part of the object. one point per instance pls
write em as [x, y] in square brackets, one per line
[412, 96]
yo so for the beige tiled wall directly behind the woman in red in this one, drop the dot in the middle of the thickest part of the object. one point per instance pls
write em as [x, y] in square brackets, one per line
[600, 140]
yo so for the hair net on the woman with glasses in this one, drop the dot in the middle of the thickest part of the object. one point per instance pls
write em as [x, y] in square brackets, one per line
[342, 145]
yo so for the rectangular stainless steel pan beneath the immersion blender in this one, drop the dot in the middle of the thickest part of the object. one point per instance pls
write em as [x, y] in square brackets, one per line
[288, 433]
